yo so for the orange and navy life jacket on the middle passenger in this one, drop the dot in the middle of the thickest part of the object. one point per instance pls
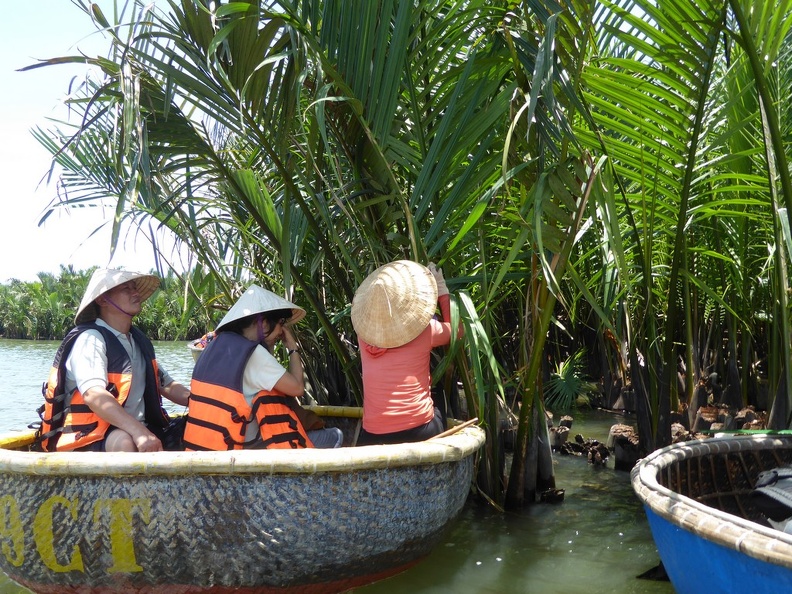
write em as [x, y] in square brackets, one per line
[219, 414]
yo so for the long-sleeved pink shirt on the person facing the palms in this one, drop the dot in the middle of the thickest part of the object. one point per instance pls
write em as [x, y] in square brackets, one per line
[397, 382]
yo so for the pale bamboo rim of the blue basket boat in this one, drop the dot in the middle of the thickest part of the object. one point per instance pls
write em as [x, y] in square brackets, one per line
[732, 531]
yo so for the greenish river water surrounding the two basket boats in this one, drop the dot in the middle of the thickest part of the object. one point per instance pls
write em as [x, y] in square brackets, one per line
[596, 541]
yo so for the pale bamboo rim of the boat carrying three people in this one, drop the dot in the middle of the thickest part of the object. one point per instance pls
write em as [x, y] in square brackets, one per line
[450, 448]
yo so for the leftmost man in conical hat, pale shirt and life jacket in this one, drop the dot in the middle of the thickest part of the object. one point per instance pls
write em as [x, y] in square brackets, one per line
[112, 385]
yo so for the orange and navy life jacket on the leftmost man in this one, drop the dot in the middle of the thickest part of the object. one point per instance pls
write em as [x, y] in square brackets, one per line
[69, 423]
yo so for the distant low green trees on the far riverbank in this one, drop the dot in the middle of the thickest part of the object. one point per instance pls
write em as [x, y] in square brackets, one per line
[44, 309]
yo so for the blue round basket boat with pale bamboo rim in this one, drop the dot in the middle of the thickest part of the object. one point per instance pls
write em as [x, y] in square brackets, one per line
[709, 533]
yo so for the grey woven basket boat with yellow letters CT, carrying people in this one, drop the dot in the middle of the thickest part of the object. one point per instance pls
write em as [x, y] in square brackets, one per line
[269, 521]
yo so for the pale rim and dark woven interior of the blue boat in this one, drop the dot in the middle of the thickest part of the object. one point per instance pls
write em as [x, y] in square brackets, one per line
[704, 487]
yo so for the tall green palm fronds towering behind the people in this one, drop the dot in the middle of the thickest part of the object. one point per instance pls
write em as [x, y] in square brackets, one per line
[601, 177]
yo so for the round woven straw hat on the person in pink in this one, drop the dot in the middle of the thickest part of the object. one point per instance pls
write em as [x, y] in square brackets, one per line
[394, 304]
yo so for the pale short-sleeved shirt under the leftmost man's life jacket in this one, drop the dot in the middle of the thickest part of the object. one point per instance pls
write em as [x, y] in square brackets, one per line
[86, 367]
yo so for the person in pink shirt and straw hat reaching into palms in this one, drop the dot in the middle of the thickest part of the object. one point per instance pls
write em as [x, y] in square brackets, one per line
[393, 314]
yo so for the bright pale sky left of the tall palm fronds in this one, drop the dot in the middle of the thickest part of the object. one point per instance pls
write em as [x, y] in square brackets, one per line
[33, 31]
